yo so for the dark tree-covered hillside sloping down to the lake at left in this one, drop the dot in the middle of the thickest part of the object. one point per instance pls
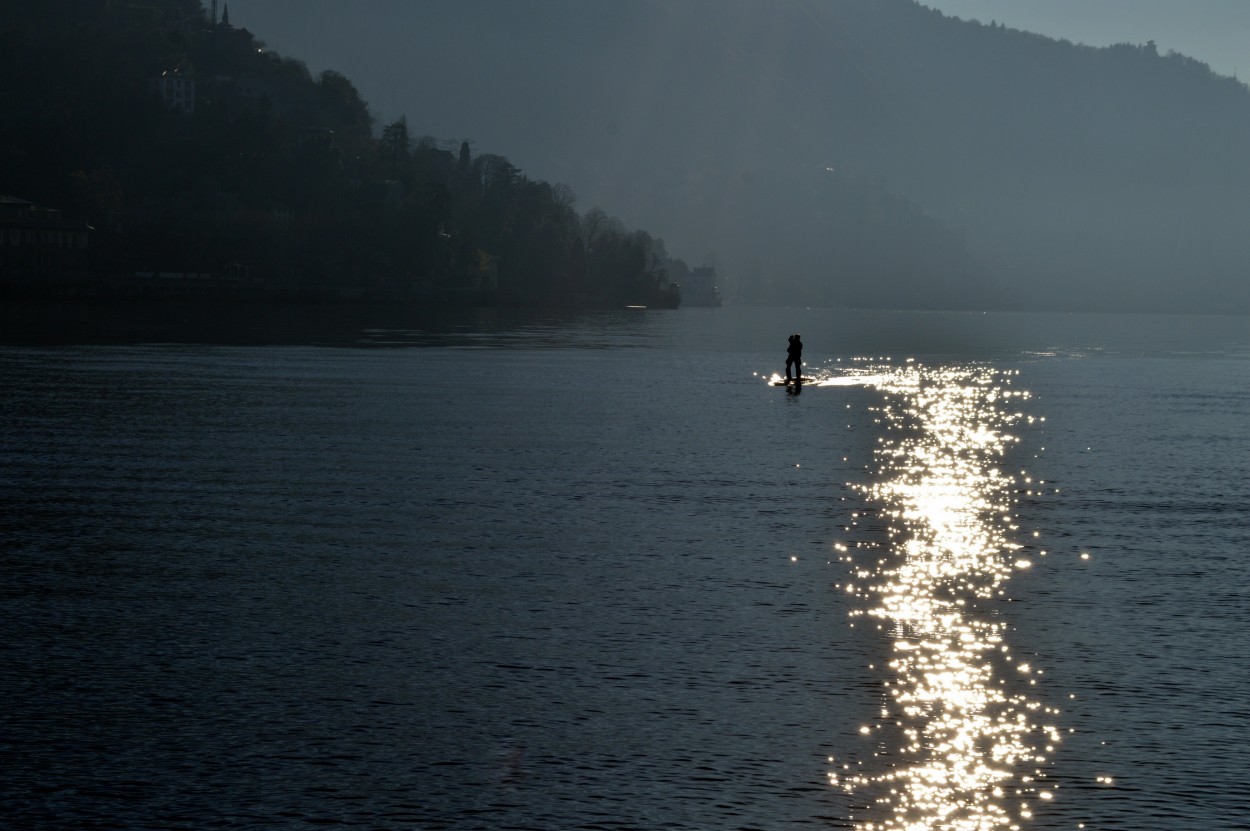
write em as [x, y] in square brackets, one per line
[277, 177]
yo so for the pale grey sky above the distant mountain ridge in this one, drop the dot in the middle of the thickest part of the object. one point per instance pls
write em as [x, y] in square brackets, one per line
[1214, 32]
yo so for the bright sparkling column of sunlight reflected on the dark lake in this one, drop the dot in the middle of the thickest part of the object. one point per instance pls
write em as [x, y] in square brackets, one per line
[967, 749]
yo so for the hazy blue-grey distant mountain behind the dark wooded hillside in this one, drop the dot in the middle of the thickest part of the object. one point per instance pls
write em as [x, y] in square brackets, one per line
[869, 151]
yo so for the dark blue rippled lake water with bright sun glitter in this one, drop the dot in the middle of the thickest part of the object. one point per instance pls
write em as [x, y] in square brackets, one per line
[593, 572]
